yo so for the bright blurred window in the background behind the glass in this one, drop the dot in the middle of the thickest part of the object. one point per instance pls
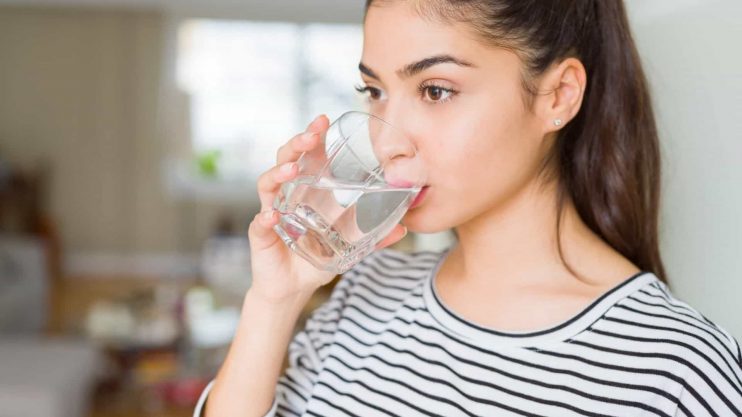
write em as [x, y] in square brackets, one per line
[253, 85]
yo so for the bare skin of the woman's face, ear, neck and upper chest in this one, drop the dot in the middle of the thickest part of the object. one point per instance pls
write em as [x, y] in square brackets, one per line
[482, 148]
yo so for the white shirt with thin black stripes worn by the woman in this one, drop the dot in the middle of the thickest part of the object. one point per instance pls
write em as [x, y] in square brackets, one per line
[385, 344]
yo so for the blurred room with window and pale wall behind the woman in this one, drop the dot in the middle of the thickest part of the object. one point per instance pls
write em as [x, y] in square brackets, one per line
[131, 136]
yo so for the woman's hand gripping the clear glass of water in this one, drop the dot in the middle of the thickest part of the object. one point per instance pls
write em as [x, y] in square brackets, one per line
[278, 273]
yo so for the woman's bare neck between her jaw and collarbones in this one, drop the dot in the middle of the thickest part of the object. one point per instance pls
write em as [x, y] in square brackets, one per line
[515, 244]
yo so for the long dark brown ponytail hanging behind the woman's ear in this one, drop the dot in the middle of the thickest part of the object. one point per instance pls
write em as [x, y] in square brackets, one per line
[609, 155]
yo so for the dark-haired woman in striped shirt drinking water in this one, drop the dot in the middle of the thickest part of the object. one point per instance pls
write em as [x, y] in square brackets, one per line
[534, 120]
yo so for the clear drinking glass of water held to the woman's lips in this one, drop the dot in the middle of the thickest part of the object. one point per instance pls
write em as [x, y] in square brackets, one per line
[350, 193]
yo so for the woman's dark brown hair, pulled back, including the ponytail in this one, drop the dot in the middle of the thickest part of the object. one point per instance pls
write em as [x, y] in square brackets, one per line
[606, 159]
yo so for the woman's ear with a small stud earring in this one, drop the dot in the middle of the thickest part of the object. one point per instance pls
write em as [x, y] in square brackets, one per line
[564, 87]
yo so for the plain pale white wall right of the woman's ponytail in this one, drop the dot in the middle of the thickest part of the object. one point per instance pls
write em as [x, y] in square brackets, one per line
[692, 56]
